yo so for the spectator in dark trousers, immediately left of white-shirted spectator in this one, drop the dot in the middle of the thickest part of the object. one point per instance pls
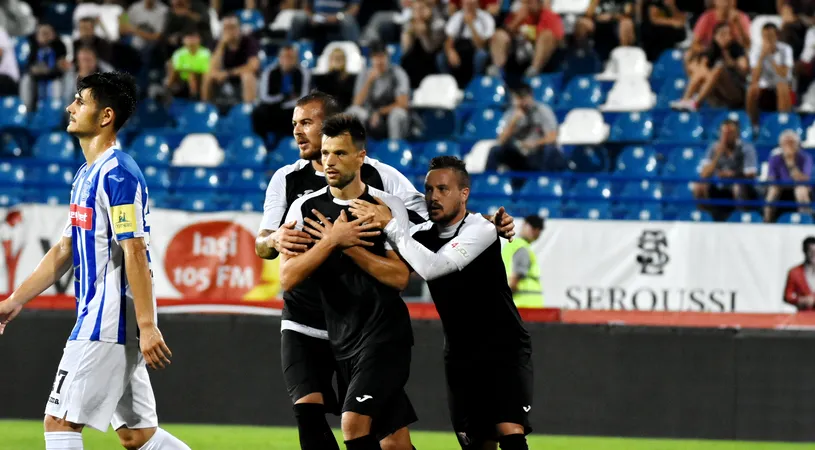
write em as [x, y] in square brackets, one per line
[422, 39]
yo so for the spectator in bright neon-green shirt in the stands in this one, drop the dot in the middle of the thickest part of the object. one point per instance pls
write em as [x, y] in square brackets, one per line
[188, 66]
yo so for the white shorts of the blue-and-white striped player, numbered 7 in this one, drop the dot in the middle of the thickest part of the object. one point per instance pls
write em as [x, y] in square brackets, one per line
[100, 383]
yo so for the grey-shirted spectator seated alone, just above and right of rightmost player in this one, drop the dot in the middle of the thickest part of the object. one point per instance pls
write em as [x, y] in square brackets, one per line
[528, 141]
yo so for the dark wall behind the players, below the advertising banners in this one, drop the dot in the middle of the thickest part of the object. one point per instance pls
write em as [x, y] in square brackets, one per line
[590, 380]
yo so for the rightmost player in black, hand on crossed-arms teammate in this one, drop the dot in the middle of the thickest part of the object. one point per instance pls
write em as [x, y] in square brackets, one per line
[487, 349]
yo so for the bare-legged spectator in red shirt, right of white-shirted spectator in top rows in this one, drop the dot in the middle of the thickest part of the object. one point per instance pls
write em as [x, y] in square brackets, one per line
[529, 33]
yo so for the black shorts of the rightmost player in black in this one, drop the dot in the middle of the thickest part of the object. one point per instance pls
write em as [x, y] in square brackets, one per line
[482, 393]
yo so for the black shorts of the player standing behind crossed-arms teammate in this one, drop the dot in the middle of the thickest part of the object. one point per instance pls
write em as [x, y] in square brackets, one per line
[308, 367]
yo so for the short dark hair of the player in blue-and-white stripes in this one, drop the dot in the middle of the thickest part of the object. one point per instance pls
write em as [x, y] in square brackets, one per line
[115, 90]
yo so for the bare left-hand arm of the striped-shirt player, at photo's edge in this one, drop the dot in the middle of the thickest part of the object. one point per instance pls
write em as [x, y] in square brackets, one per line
[52, 267]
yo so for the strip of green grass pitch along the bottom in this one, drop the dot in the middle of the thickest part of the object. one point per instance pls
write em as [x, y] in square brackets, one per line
[27, 435]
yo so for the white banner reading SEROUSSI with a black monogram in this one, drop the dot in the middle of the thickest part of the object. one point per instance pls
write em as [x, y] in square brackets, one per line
[668, 266]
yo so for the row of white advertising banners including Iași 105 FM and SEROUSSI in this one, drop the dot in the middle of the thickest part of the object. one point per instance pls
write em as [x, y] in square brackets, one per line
[662, 266]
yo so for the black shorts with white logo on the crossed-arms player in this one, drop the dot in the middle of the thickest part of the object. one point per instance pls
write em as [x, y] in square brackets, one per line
[374, 384]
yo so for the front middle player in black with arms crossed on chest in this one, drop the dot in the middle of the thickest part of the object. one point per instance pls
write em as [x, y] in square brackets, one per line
[358, 278]
